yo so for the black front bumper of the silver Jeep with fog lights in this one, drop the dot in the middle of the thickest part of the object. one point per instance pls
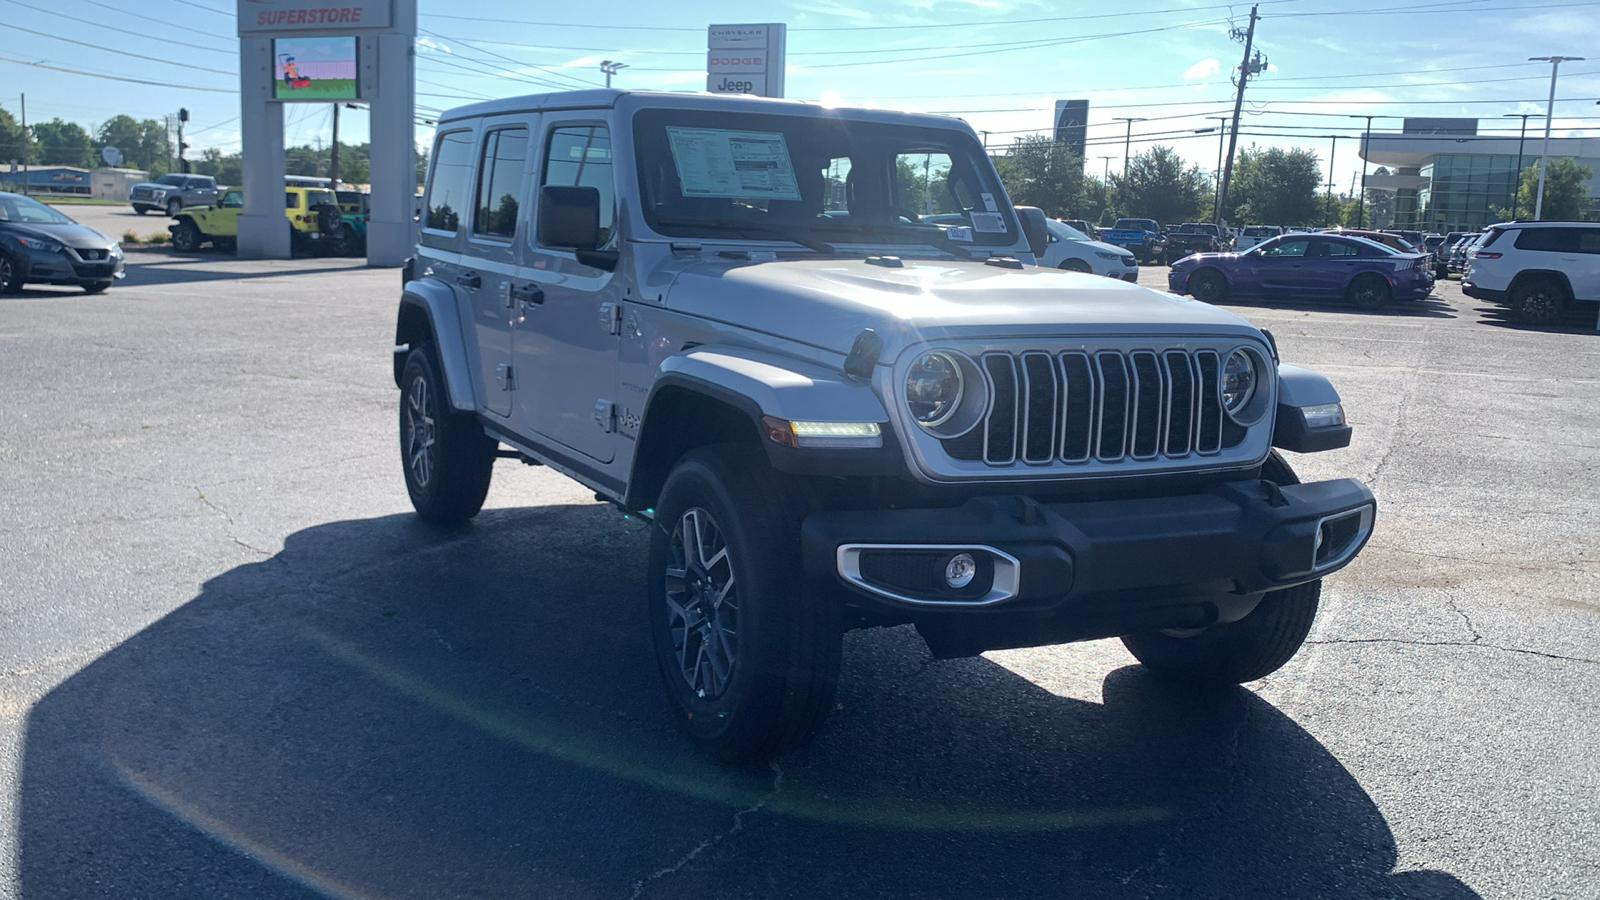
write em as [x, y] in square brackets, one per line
[1095, 568]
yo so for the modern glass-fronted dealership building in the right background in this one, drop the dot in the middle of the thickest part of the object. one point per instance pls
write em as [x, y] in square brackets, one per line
[1447, 177]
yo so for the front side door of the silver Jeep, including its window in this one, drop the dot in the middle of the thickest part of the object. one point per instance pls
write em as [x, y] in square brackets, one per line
[569, 313]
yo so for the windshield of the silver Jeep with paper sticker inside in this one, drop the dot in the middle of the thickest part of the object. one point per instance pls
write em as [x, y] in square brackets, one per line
[746, 177]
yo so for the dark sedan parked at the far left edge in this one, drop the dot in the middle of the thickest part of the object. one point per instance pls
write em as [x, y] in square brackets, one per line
[41, 246]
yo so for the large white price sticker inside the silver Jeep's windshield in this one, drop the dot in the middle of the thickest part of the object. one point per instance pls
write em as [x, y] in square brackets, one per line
[748, 166]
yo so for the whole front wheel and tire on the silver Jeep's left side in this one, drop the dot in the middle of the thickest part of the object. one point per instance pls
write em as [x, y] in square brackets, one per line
[750, 659]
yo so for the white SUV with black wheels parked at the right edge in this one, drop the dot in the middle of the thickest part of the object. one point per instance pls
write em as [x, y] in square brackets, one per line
[1535, 268]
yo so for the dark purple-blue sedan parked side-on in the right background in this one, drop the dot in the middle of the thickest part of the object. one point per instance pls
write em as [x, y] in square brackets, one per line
[1306, 267]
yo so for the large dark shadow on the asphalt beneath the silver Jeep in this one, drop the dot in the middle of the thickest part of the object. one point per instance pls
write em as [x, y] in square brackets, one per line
[390, 710]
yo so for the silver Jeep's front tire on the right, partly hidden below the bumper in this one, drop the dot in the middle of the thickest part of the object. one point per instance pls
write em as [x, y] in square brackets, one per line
[1242, 651]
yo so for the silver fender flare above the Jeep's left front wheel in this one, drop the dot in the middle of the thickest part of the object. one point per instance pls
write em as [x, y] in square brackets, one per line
[775, 385]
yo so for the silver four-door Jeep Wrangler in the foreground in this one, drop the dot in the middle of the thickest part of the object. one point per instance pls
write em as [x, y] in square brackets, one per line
[730, 318]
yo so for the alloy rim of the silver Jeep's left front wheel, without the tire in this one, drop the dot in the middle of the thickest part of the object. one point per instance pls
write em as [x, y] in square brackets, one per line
[703, 605]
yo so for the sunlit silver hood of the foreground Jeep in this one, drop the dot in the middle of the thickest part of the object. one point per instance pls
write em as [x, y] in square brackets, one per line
[826, 303]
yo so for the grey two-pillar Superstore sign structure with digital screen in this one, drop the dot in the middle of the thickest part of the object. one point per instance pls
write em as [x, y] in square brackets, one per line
[327, 52]
